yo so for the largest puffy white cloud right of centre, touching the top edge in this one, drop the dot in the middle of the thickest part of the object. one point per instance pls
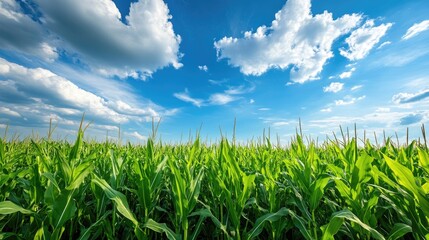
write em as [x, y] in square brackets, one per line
[295, 38]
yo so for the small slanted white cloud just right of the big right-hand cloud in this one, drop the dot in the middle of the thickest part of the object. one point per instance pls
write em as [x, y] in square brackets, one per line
[363, 39]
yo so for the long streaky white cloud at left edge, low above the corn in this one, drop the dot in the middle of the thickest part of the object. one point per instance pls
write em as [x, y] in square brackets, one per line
[37, 93]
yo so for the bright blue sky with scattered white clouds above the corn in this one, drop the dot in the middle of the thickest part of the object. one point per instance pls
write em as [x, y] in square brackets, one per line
[202, 64]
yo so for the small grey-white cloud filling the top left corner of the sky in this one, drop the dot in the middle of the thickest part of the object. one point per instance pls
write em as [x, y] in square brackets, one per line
[18, 32]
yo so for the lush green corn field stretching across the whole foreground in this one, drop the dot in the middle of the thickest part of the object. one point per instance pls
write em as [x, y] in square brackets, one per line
[335, 190]
